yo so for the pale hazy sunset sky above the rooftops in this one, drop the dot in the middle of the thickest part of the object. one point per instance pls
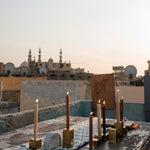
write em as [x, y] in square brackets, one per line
[93, 34]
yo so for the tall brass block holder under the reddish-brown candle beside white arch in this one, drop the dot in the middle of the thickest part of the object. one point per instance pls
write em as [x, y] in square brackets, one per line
[68, 136]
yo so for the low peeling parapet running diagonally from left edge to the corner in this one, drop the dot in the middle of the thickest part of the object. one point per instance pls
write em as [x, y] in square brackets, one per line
[21, 119]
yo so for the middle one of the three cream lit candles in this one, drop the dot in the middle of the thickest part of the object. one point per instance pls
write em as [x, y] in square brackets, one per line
[99, 117]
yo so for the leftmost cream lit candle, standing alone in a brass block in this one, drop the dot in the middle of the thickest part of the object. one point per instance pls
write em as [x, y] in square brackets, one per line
[35, 118]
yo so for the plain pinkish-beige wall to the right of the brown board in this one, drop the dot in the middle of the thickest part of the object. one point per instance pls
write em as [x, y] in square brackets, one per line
[131, 94]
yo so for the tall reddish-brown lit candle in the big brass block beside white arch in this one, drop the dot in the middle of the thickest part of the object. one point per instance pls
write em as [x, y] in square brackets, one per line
[67, 112]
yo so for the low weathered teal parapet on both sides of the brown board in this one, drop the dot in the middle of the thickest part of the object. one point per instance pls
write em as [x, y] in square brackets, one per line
[11, 122]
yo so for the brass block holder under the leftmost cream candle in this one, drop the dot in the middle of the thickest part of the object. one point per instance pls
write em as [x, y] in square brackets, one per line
[35, 144]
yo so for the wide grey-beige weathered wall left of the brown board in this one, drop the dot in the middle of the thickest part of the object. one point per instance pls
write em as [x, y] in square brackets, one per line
[52, 92]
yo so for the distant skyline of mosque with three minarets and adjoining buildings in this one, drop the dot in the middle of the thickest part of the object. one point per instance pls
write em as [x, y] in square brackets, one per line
[49, 69]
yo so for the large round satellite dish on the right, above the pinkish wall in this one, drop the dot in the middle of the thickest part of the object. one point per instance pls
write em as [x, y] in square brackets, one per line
[130, 72]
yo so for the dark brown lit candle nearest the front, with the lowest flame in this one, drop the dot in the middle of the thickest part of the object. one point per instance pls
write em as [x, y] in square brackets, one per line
[91, 130]
